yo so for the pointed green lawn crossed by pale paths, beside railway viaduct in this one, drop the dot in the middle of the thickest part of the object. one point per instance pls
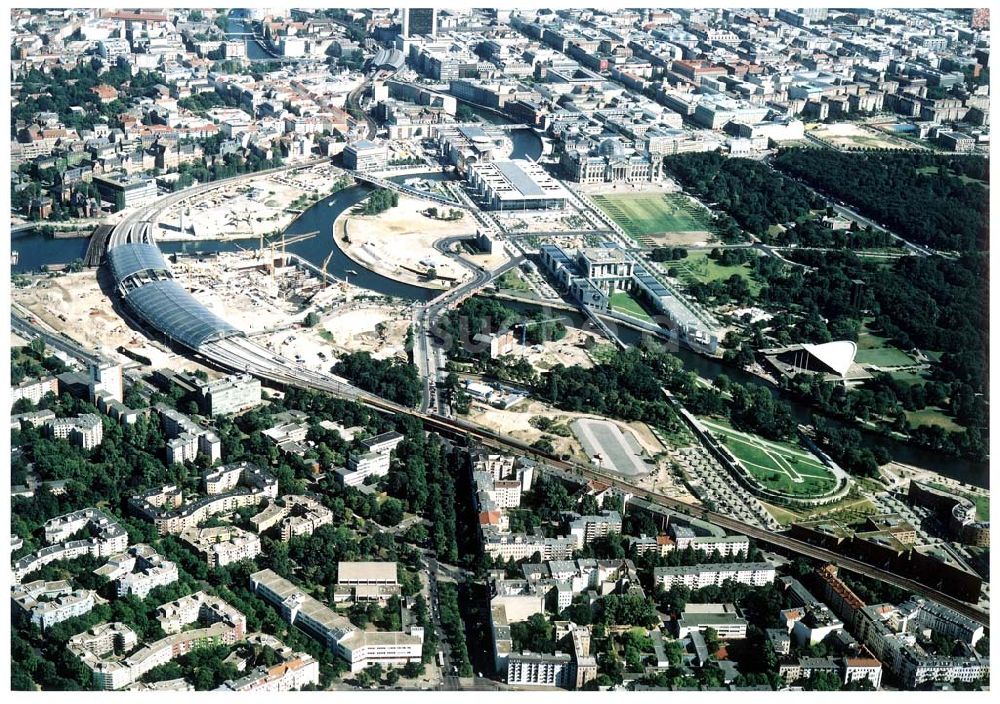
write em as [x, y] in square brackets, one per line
[778, 466]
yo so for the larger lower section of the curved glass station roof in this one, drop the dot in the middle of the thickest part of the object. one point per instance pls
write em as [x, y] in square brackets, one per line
[168, 307]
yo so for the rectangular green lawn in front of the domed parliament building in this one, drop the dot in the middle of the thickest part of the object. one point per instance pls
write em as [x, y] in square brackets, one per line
[645, 214]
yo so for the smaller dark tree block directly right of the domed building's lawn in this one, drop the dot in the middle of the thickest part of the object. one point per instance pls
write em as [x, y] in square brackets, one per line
[746, 189]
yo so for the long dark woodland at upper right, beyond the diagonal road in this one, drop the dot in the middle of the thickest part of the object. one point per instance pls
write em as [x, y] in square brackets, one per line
[918, 194]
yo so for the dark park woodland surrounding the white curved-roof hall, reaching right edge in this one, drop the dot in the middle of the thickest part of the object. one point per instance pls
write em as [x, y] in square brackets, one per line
[930, 303]
